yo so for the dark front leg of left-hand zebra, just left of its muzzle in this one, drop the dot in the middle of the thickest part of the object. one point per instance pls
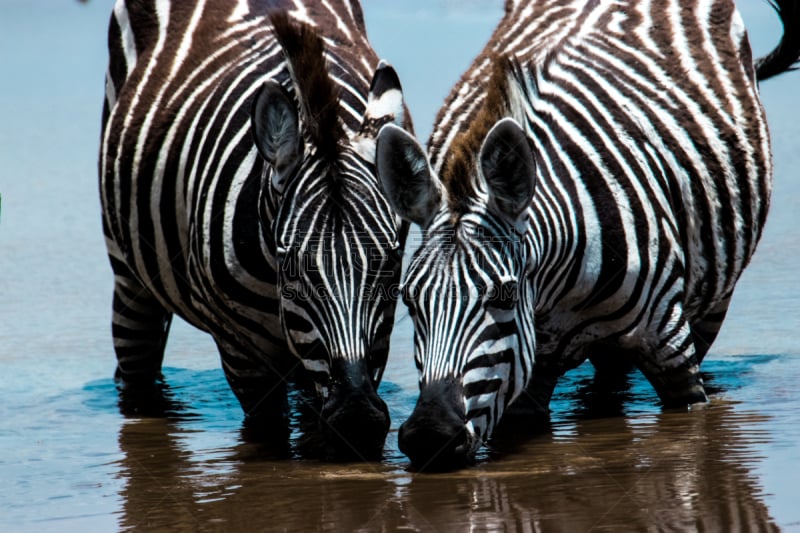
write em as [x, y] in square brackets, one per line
[261, 390]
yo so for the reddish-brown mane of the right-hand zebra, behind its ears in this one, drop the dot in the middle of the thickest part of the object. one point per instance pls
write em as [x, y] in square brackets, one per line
[459, 165]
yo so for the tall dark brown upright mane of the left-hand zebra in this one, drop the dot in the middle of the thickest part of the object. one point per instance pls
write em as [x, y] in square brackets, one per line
[315, 91]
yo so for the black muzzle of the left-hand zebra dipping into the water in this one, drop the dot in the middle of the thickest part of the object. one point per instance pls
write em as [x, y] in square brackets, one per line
[354, 421]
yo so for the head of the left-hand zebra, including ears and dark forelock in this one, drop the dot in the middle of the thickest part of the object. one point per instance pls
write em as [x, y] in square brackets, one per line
[338, 244]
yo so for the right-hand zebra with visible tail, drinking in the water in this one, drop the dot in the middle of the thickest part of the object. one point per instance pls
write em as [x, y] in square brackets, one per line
[597, 182]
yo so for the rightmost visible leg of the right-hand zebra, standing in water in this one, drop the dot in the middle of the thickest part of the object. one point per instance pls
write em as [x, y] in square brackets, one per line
[670, 364]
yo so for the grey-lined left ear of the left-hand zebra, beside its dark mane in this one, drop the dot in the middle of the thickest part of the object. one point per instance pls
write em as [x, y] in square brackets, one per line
[276, 131]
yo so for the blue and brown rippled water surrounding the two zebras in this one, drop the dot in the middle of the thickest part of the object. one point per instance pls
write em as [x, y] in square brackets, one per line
[70, 461]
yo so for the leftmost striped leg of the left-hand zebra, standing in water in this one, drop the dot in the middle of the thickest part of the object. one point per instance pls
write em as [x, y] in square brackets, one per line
[140, 326]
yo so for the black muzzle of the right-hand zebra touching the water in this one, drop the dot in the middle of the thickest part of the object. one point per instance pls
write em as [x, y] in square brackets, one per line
[435, 437]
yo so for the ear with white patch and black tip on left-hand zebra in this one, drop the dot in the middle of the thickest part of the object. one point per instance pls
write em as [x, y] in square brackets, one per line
[384, 106]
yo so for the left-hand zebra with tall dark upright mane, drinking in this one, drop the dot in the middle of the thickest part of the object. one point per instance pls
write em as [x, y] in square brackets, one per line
[238, 187]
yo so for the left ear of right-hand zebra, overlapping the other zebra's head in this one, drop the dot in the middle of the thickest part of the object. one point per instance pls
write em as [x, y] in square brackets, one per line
[406, 176]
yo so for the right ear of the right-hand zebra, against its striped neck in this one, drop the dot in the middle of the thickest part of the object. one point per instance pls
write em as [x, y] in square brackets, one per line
[509, 169]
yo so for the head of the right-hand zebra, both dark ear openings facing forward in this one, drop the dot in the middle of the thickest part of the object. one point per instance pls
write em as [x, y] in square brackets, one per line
[466, 287]
